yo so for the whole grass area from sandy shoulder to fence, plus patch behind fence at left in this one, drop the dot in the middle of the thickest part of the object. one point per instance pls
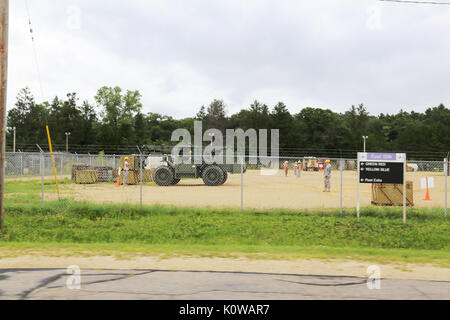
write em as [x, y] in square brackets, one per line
[380, 234]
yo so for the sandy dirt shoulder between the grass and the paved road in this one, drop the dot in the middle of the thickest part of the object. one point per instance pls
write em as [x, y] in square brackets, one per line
[180, 263]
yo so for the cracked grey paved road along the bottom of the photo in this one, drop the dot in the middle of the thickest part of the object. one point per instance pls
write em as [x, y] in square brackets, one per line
[168, 285]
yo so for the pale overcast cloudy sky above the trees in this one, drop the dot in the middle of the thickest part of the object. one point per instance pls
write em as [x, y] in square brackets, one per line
[181, 55]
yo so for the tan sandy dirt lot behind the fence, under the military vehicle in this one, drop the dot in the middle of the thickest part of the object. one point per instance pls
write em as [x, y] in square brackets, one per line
[260, 192]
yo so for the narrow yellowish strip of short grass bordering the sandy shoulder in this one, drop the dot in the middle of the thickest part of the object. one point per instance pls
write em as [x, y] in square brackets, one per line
[119, 250]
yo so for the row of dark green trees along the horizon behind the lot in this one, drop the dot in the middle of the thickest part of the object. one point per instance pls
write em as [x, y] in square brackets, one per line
[116, 121]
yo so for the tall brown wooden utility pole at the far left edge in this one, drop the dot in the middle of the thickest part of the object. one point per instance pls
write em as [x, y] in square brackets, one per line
[4, 15]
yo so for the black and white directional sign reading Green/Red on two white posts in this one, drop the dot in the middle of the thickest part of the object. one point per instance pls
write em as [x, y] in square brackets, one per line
[382, 168]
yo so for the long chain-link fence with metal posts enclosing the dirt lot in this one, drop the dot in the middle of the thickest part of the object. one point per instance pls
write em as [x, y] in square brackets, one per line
[291, 183]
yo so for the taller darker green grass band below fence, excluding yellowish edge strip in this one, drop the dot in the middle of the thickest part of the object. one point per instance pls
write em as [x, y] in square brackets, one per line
[73, 222]
